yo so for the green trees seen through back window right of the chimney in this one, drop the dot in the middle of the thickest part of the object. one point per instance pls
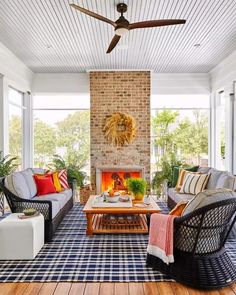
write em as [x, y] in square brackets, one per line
[186, 139]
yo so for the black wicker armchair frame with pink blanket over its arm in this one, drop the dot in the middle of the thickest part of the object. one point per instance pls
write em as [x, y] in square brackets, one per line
[201, 260]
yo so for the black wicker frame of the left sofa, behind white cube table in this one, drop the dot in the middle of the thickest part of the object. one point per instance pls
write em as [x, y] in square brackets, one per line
[18, 204]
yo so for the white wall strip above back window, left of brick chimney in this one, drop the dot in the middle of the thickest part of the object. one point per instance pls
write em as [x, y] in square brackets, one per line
[60, 83]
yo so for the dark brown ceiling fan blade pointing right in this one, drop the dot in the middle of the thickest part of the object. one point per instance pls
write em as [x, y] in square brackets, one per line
[156, 23]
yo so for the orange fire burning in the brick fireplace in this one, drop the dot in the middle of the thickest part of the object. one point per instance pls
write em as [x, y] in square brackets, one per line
[117, 180]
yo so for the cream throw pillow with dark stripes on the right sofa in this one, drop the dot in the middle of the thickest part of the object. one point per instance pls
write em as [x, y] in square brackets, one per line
[194, 183]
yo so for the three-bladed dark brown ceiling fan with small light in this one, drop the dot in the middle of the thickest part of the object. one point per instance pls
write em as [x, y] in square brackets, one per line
[122, 25]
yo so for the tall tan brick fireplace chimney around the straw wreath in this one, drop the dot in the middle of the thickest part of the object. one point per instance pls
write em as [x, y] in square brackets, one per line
[127, 92]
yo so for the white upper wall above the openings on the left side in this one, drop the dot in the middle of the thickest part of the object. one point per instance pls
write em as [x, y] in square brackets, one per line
[17, 74]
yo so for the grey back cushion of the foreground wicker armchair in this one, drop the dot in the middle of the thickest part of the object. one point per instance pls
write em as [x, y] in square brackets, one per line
[208, 197]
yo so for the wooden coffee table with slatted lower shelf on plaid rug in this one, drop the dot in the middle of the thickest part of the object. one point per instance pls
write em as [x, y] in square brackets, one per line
[118, 220]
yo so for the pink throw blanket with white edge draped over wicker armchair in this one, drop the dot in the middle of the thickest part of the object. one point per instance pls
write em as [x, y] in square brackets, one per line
[161, 237]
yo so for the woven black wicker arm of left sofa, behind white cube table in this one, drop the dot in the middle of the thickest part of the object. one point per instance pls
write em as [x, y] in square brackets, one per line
[44, 207]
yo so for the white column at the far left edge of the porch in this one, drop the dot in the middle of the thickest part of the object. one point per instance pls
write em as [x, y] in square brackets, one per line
[4, 116]
